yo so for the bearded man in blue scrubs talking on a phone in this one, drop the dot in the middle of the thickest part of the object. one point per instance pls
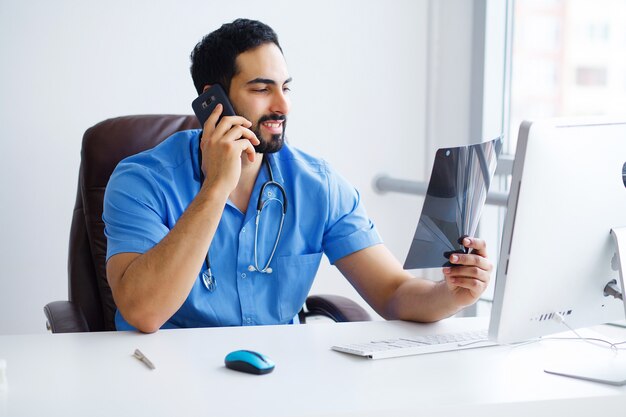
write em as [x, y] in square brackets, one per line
[184, 245]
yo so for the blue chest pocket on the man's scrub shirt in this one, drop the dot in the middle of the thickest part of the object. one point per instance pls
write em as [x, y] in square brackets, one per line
[295, 275]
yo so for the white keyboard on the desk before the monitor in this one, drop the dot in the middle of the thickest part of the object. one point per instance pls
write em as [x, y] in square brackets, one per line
[417, 345]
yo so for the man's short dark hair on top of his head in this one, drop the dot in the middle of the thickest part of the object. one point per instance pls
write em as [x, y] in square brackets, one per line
[213, 58]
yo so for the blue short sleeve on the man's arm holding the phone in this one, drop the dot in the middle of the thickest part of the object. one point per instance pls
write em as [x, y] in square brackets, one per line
[133, 211]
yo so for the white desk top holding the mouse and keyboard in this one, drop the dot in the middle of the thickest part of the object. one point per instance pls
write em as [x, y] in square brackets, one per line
[95, 375]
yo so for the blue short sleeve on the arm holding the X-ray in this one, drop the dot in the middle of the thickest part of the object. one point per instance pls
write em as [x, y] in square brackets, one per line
[348, 227]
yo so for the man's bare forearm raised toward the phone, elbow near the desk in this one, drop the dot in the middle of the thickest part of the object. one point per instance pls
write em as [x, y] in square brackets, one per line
[155, 284]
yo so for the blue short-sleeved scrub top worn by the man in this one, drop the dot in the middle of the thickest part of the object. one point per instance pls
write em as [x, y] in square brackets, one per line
[148, 192]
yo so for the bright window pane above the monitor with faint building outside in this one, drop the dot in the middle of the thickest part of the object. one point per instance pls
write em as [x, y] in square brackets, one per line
[567, 59]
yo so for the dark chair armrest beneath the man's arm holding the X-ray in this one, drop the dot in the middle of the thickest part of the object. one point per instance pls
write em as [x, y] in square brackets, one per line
[338, 308]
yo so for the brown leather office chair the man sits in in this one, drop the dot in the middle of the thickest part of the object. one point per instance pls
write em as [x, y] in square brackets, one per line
[90, 306]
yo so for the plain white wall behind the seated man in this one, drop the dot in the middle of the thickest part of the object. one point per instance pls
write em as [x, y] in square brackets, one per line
[359, 101]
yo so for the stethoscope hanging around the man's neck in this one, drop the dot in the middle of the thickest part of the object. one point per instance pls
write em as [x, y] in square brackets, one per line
[208, 279]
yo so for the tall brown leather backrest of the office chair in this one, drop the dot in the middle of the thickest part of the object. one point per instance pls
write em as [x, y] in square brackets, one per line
[104, 145]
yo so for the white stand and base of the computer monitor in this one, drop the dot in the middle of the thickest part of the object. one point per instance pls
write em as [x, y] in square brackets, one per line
[607, 366]
